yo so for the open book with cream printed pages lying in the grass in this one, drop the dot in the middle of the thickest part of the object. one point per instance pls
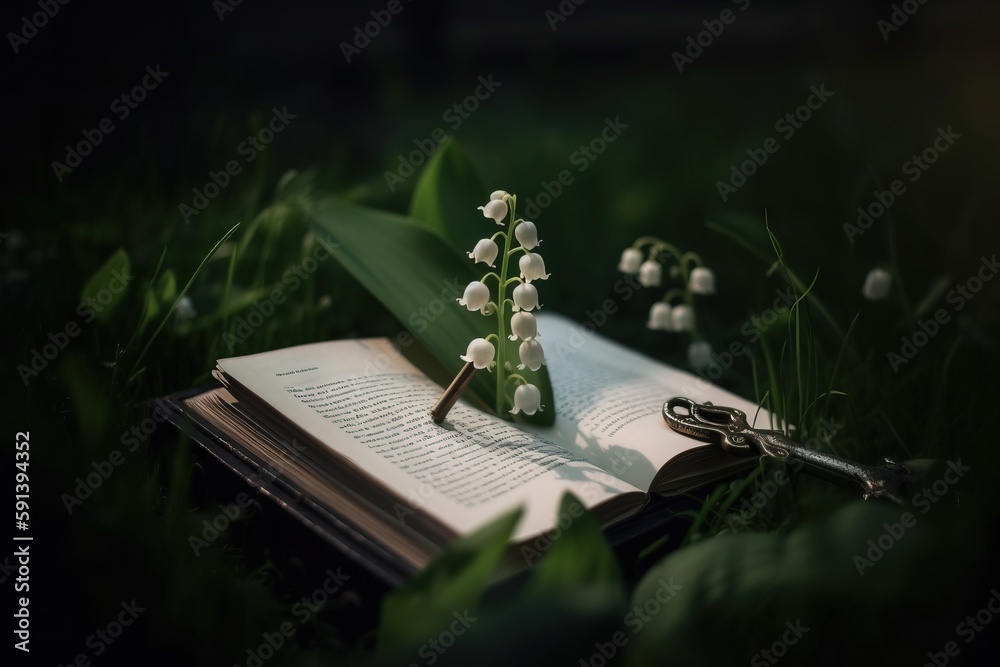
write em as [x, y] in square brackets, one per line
[347, 425]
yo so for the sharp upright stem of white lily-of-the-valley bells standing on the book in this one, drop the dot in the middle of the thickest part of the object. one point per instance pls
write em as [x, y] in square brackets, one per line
[481, 352]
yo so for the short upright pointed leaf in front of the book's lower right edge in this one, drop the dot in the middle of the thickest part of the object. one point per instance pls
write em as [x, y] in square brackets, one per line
[579, 556]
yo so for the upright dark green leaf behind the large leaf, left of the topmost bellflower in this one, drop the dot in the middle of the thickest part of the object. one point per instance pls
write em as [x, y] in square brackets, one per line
[448, 195]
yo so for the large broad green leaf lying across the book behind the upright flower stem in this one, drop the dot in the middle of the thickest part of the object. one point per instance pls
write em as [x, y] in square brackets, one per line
[418, 277]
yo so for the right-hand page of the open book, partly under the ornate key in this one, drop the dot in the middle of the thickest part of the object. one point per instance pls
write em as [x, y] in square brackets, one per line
[609, 402]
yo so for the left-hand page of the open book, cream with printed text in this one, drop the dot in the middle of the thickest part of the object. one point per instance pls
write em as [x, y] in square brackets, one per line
[377, 417]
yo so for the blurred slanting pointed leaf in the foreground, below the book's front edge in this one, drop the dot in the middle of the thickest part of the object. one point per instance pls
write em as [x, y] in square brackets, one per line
[452, 583]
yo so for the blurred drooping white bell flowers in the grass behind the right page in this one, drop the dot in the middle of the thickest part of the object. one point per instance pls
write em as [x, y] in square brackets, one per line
[664, 316]
